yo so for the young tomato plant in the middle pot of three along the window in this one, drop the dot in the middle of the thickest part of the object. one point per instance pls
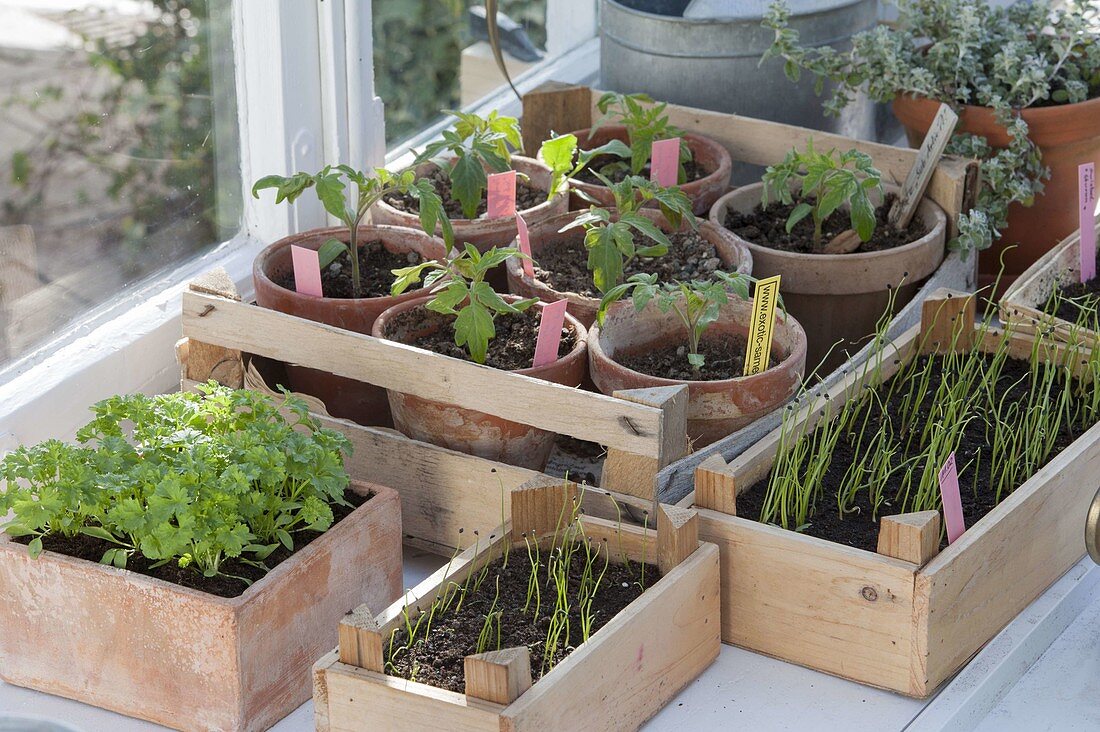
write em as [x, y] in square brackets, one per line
[474, 146]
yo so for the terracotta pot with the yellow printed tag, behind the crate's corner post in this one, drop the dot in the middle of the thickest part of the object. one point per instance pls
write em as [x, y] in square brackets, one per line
[716, 409]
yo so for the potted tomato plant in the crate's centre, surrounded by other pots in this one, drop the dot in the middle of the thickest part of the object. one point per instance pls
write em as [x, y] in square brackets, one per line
[580, 257]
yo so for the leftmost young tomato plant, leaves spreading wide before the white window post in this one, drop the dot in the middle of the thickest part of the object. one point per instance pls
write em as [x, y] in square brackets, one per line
[332, 190]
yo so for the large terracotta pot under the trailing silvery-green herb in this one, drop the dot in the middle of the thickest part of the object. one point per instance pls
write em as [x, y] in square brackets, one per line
[1068, 135]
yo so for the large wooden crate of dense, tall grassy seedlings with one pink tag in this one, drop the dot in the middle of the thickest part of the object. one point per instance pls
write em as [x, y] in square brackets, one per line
[860, 584]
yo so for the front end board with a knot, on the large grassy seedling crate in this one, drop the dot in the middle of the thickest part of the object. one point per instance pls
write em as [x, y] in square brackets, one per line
[829, 607]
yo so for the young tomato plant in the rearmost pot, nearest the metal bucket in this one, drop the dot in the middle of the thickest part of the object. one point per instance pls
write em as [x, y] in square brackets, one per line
[645, 123]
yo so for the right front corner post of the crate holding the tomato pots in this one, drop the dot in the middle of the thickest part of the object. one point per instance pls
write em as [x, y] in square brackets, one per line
[636, 475]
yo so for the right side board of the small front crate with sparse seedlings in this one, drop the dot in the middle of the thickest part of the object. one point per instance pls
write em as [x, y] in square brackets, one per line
[629, 671]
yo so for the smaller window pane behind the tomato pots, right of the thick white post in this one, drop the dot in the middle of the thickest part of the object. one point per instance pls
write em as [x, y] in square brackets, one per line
[431, 56]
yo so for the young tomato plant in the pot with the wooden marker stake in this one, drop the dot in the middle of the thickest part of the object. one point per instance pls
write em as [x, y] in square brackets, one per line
[827, 182]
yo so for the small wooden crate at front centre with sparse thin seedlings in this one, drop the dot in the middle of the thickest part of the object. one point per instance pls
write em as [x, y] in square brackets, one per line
[626, 672]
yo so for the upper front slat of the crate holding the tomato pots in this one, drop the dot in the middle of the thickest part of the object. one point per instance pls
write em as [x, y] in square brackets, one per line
[617, 423]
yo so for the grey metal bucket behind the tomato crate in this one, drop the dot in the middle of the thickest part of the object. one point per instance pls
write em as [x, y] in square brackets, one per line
[716, 63]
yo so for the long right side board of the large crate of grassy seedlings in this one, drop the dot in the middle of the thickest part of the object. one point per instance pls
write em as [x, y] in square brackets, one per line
[1003, 563]
